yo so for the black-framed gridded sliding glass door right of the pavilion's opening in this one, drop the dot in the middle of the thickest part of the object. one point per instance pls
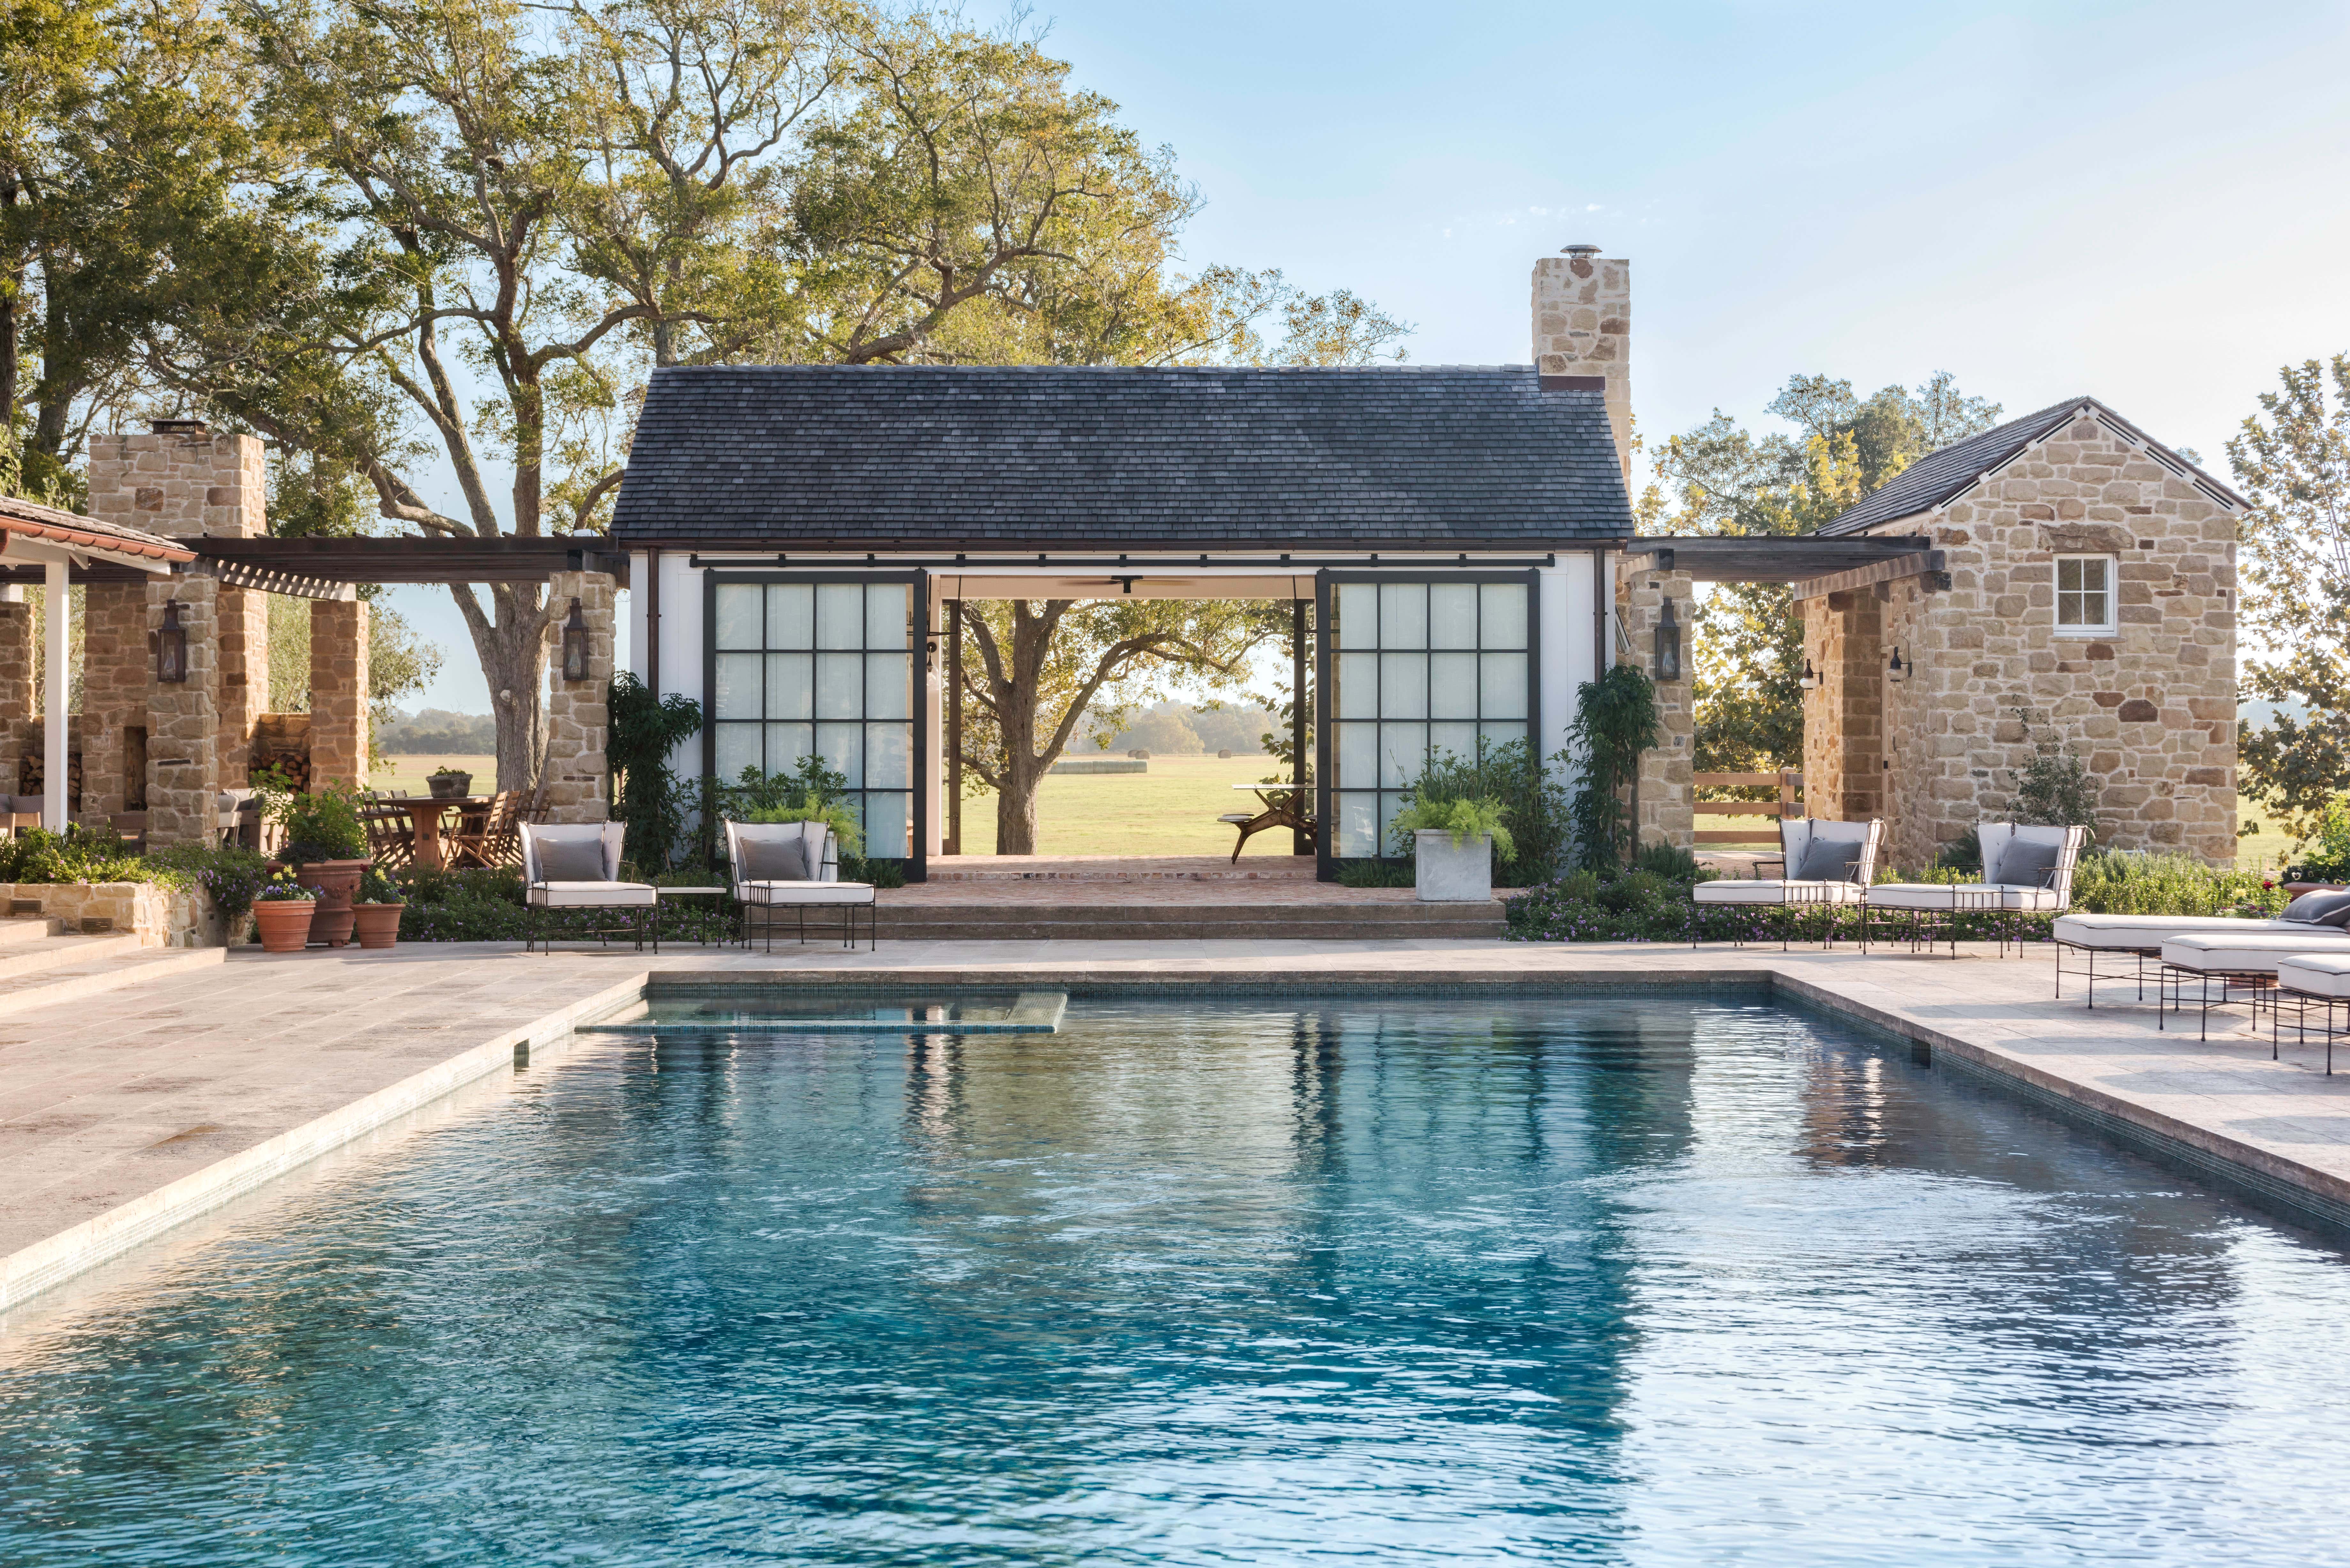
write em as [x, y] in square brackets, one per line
[1416, 669]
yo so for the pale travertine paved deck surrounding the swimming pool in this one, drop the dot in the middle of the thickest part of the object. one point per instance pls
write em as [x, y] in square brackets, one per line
[128, 1113]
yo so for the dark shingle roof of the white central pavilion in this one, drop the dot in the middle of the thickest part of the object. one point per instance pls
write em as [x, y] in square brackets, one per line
[887, 457]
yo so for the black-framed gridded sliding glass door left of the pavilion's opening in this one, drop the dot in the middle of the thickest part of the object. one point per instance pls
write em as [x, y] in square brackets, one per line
[824, 664]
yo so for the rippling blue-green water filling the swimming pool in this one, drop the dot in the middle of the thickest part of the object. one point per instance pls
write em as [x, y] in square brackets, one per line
[1388, 1282]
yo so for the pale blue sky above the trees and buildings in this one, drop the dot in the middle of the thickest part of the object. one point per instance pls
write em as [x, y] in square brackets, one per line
[2135, 201]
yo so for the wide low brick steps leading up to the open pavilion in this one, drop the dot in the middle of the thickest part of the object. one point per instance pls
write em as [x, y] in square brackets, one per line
[1193, 923]
